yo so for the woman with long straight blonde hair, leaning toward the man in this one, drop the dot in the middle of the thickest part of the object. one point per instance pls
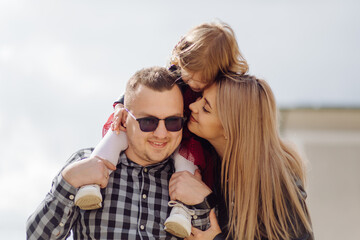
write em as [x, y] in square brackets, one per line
[262, 178]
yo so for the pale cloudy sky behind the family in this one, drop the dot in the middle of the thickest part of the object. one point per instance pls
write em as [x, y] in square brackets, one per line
[63, 63]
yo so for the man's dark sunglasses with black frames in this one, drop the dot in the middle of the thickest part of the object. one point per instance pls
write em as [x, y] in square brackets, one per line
[149, 124]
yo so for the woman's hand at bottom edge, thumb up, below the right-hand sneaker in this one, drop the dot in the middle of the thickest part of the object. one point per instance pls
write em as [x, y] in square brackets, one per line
[208, 234]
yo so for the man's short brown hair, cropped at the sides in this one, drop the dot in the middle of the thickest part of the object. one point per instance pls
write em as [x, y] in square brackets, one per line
[156, 78]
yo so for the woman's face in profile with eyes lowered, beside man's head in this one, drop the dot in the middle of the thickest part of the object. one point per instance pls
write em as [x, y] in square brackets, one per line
[204, 120]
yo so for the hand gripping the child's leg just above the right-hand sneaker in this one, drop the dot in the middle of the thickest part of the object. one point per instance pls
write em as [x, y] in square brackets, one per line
[188, 188]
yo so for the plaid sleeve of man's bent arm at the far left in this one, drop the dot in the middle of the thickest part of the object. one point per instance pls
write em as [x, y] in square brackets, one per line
[56, 215]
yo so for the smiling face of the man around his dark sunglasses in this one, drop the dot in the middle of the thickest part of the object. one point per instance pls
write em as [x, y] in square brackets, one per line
[147, 148]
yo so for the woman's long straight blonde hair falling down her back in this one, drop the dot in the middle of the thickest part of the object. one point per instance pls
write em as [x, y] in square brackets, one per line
[259, 171]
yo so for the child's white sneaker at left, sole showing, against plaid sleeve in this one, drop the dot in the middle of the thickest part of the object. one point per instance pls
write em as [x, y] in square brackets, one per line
[88, 197]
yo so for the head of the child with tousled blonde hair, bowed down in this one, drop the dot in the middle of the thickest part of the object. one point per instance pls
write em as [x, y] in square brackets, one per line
[209, 48]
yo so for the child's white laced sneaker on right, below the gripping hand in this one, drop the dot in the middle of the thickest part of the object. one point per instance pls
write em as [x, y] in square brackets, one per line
[179, 221]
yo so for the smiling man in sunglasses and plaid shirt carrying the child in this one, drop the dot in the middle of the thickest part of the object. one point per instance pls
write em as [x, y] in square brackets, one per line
[136, 196]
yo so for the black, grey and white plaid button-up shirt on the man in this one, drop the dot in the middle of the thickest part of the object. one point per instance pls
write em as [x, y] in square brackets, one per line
[135, 206]
